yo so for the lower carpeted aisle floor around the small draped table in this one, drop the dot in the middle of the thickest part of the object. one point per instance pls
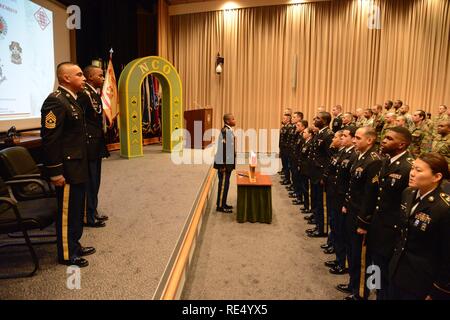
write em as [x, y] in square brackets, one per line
[260, 261]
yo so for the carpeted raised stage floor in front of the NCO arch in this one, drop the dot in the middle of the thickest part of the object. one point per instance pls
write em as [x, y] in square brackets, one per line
[148, 201]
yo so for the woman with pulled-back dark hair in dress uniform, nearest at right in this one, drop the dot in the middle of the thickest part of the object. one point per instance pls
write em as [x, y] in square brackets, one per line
[420, 266]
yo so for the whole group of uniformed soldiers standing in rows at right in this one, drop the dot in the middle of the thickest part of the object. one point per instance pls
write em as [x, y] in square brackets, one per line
[371, 182]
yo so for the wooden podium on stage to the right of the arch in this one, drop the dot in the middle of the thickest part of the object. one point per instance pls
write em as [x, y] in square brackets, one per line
[197, 123]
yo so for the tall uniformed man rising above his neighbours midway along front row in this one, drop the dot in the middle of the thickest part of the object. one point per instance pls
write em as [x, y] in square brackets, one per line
[320, 157]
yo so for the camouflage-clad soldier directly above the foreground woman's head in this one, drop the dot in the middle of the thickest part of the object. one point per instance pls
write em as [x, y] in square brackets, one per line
[421, 136]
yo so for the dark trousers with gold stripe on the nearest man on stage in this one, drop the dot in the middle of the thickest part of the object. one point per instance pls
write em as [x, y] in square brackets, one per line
[69, 220]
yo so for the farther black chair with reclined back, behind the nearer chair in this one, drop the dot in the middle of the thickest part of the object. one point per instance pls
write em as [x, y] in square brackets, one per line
[25, 177]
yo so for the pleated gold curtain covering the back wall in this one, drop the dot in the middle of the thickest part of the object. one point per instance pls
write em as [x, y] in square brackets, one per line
[347, 52]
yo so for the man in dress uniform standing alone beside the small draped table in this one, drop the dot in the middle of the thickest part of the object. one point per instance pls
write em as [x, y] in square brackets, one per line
[225, 162]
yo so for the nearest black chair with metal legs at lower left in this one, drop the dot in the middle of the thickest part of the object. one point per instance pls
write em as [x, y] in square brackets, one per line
[22, 217]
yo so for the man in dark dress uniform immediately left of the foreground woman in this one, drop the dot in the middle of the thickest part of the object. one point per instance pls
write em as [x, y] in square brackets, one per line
[393, 179]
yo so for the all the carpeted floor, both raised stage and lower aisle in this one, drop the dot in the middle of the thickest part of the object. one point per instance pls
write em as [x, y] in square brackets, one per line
[148, 203]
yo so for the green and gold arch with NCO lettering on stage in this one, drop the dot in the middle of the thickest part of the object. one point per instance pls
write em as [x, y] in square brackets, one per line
[130, 83]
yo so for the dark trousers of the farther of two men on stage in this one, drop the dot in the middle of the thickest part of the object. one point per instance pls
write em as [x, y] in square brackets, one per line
[92, 188]
